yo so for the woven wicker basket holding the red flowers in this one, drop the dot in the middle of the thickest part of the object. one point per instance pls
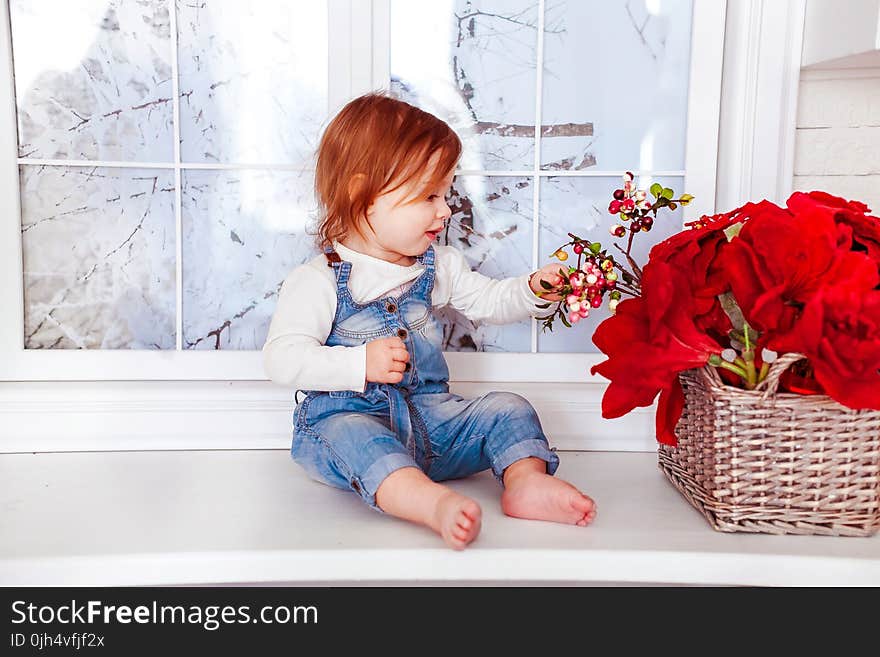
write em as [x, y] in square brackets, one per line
[758, 461]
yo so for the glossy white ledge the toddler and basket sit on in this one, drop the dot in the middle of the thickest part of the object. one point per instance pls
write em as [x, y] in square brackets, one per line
[253, 517]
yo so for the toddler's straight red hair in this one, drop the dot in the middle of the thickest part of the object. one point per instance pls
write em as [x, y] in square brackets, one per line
[376, 144]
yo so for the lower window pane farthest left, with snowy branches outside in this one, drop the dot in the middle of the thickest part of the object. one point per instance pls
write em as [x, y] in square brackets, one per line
[99, 250]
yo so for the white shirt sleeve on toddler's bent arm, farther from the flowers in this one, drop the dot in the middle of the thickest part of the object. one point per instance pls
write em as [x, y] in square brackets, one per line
[294, 353]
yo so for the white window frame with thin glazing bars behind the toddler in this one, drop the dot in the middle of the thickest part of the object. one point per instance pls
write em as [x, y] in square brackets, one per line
[358, 63]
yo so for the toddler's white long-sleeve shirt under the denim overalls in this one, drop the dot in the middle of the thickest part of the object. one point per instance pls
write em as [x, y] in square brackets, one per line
[294, 353]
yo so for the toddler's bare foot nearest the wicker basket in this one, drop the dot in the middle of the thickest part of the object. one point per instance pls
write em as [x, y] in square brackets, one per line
[539, 496]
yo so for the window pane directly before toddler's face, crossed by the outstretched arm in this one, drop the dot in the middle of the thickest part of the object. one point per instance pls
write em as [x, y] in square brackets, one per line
[491, 224]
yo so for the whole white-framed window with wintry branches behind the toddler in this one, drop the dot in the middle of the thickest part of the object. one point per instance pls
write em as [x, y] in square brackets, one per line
[164, 161]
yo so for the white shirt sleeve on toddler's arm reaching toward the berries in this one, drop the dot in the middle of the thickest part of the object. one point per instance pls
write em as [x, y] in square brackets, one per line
[480, 298]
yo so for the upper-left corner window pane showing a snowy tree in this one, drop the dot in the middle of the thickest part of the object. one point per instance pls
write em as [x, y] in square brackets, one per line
[93, 79]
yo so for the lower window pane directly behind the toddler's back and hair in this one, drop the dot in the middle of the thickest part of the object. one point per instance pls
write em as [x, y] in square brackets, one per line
[243, 231]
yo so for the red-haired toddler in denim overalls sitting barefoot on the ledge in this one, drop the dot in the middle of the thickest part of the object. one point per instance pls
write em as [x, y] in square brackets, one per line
[354, 330]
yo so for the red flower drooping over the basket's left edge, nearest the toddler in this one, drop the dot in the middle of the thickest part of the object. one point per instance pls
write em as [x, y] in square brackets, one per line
[648, 342]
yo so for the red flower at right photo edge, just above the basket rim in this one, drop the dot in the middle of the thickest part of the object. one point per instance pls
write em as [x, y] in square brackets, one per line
[840, 334]
